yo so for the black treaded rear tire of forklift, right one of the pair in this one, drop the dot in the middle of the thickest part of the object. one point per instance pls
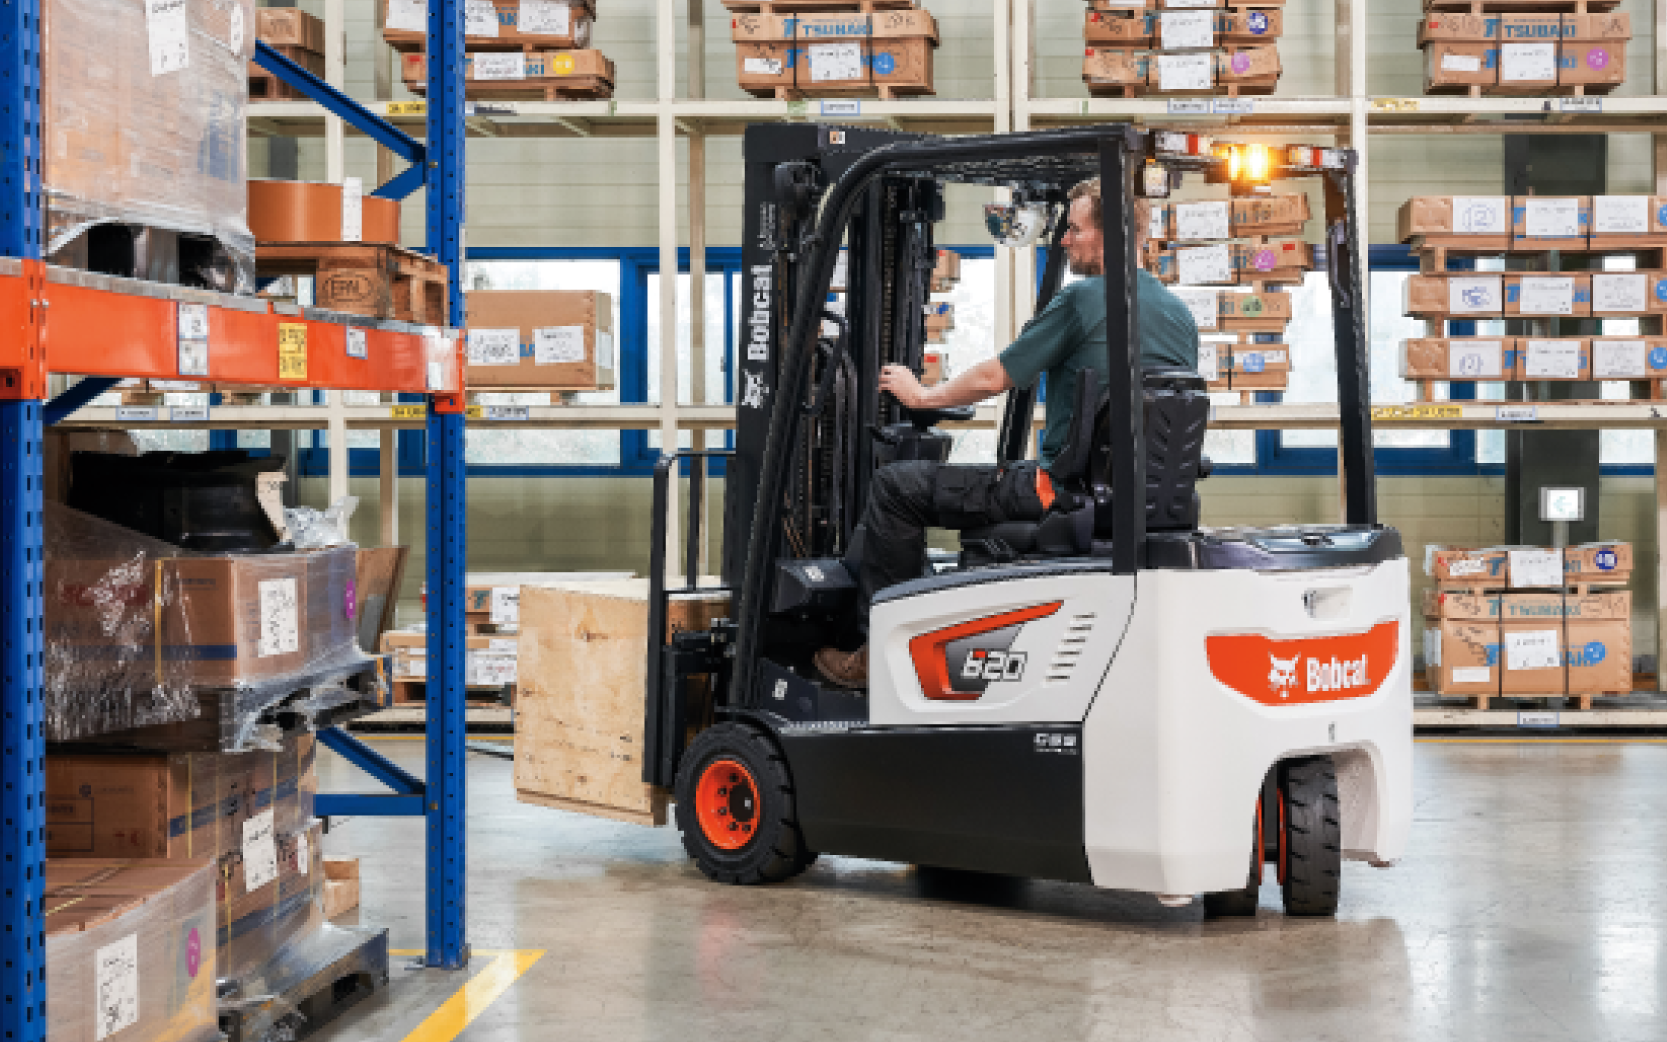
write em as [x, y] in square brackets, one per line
[1311, 838]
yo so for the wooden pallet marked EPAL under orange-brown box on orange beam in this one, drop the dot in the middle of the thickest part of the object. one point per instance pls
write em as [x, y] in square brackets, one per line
[359, 279]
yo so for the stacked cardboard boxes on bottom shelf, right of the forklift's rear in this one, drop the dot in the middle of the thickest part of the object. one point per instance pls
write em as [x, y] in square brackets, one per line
[1529, 621]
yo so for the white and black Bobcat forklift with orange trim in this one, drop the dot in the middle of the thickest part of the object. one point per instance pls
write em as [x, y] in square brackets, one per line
[1111, 696]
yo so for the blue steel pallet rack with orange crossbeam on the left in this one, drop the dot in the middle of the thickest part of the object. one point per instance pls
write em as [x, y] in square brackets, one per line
[59, 321]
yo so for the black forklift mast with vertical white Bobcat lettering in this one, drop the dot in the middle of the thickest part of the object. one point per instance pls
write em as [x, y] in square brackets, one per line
[883, 323]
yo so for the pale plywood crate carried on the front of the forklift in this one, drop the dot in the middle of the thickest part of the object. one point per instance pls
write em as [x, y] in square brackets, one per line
[579, 724]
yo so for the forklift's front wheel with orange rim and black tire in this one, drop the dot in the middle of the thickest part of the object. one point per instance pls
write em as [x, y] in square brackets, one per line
[736, 808]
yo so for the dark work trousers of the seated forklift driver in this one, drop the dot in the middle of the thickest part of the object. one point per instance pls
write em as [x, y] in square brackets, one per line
[906, 499]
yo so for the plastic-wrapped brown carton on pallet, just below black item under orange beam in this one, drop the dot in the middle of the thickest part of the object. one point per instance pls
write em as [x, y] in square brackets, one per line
[141, 633]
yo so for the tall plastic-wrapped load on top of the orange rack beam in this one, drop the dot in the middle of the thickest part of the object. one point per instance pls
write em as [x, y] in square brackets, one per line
[144, 119]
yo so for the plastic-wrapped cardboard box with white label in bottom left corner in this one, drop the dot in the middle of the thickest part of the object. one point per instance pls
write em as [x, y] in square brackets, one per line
[129, 951]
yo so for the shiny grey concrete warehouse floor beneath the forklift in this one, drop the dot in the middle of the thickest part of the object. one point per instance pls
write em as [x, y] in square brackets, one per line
[1533, 906]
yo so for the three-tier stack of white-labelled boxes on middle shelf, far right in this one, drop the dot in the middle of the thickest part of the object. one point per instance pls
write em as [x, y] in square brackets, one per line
[1546, 231]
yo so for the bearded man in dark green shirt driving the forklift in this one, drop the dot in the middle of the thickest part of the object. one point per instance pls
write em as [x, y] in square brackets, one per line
[1068, 338]
